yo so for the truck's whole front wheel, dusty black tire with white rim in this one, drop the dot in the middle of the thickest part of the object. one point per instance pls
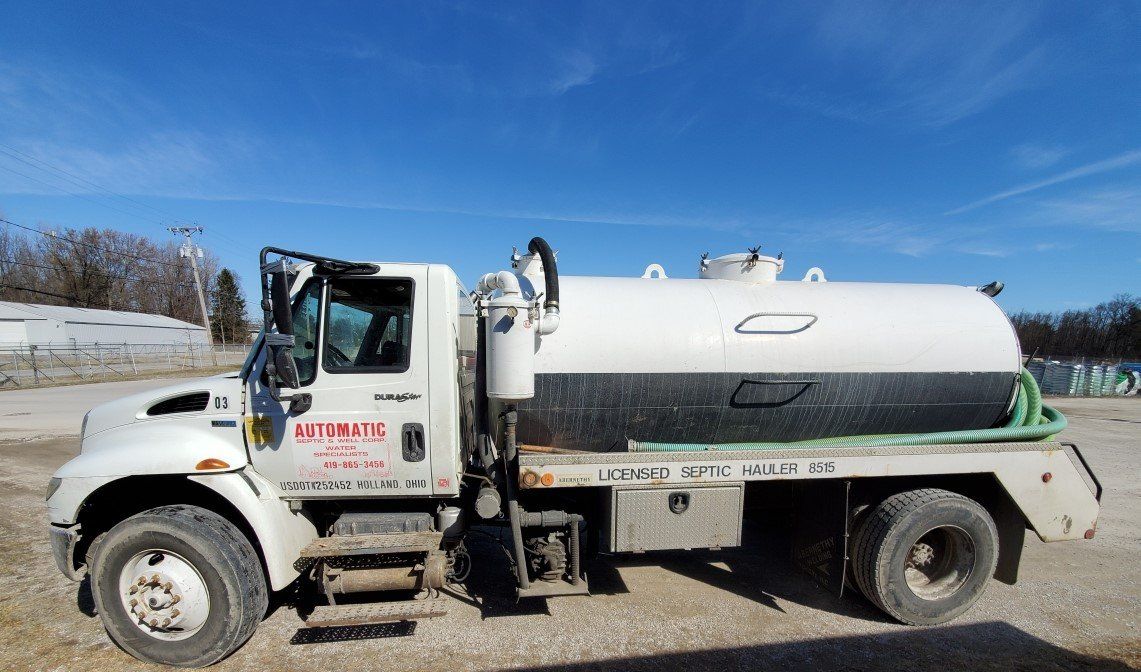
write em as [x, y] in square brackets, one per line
[179, 586]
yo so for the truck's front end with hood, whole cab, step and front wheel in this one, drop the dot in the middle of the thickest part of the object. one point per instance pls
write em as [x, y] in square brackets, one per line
[384, 357]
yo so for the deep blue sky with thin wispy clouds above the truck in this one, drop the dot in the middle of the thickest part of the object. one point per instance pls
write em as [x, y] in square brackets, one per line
[956, 143]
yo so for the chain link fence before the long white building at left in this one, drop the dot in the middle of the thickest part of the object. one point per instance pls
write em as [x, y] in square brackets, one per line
[46, 366]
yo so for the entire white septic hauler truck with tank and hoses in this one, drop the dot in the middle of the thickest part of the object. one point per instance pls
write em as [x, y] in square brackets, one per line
[385, 412]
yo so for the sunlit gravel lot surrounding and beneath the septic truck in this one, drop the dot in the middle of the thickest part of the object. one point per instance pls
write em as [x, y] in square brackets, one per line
[1077, 606]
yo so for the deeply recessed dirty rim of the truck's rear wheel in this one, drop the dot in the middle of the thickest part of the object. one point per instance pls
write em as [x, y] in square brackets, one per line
[940, 563]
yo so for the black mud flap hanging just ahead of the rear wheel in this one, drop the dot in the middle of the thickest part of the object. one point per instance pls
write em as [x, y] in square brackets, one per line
[821, 538]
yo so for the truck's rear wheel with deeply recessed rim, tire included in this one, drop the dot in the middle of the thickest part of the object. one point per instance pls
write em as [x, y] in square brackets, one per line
[925, 556]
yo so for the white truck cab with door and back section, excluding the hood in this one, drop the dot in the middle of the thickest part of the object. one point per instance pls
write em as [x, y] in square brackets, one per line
[389, 360]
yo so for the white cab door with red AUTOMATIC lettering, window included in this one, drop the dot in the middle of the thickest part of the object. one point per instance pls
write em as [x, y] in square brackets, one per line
[361, 349]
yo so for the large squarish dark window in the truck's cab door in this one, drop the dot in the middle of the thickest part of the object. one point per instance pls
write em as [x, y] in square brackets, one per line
[368, 326]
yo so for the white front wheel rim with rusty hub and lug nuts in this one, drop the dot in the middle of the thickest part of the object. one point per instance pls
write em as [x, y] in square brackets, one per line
[165, 595]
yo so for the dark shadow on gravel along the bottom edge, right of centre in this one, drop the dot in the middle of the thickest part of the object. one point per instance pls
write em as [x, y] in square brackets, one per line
[981, 646]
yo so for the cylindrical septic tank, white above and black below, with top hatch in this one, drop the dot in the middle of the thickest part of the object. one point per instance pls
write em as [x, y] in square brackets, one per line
[738, 357]
